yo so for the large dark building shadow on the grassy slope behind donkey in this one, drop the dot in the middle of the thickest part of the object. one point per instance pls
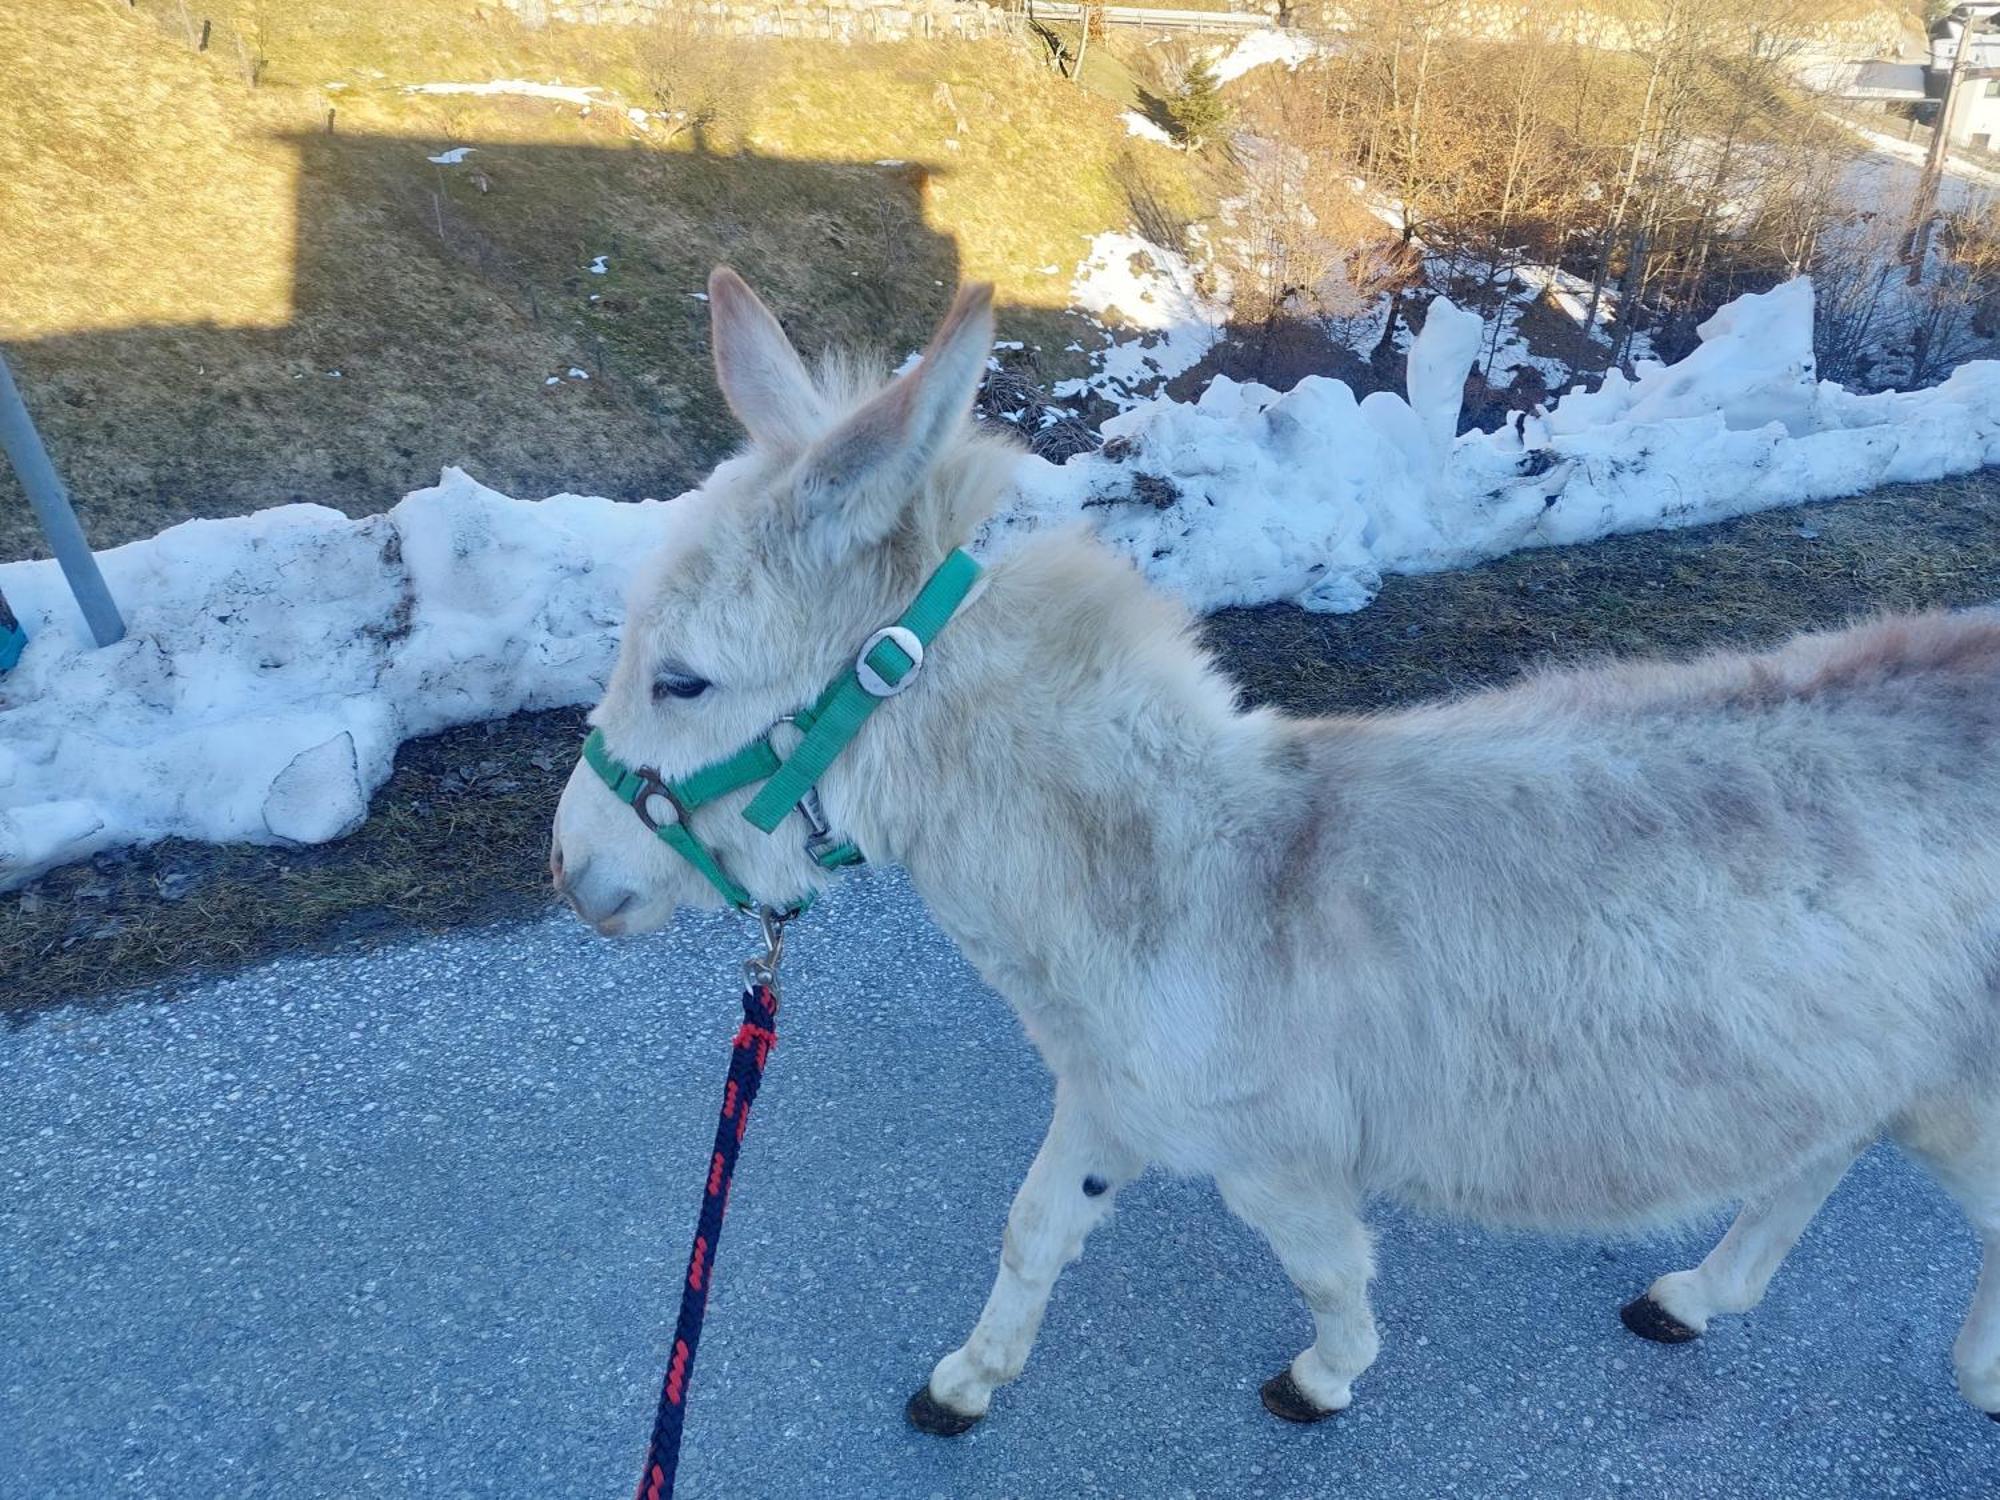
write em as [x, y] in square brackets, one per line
[439, 313]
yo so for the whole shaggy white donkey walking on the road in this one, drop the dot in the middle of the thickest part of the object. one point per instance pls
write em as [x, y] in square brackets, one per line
[1591, 953]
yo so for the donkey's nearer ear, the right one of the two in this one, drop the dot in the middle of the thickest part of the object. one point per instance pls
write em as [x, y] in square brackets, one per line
[857, 483]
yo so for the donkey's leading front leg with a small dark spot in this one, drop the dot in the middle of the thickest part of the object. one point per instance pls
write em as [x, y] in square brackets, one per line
[1069, 1193]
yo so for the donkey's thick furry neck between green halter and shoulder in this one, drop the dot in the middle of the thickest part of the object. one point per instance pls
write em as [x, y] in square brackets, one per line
[1065, 761]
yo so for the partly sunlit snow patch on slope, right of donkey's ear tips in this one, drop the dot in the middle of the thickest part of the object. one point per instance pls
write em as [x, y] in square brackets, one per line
[1157, 301]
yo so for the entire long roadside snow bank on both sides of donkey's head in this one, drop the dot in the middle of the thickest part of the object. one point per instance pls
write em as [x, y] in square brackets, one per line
[277, 661]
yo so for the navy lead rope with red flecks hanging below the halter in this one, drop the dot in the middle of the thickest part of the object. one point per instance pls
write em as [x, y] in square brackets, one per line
[755, 1041]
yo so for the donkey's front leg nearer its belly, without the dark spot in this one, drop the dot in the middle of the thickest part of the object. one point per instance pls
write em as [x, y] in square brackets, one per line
[1323, 1247]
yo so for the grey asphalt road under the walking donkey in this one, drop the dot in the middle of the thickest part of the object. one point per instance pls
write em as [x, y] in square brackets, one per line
[413, 1225]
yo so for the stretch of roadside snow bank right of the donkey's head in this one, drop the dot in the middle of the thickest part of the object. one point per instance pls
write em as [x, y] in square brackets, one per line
[1249, 497]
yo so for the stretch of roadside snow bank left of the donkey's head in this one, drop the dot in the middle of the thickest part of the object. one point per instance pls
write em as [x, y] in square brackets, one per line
[277, 661]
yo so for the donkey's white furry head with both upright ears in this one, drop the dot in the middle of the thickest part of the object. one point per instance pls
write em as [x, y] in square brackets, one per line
[771, 579]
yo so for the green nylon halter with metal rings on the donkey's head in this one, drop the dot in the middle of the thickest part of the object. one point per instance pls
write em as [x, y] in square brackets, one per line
[887, 663]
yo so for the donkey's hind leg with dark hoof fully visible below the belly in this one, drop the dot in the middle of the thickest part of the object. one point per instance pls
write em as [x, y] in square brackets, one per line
[1735, 1275]
